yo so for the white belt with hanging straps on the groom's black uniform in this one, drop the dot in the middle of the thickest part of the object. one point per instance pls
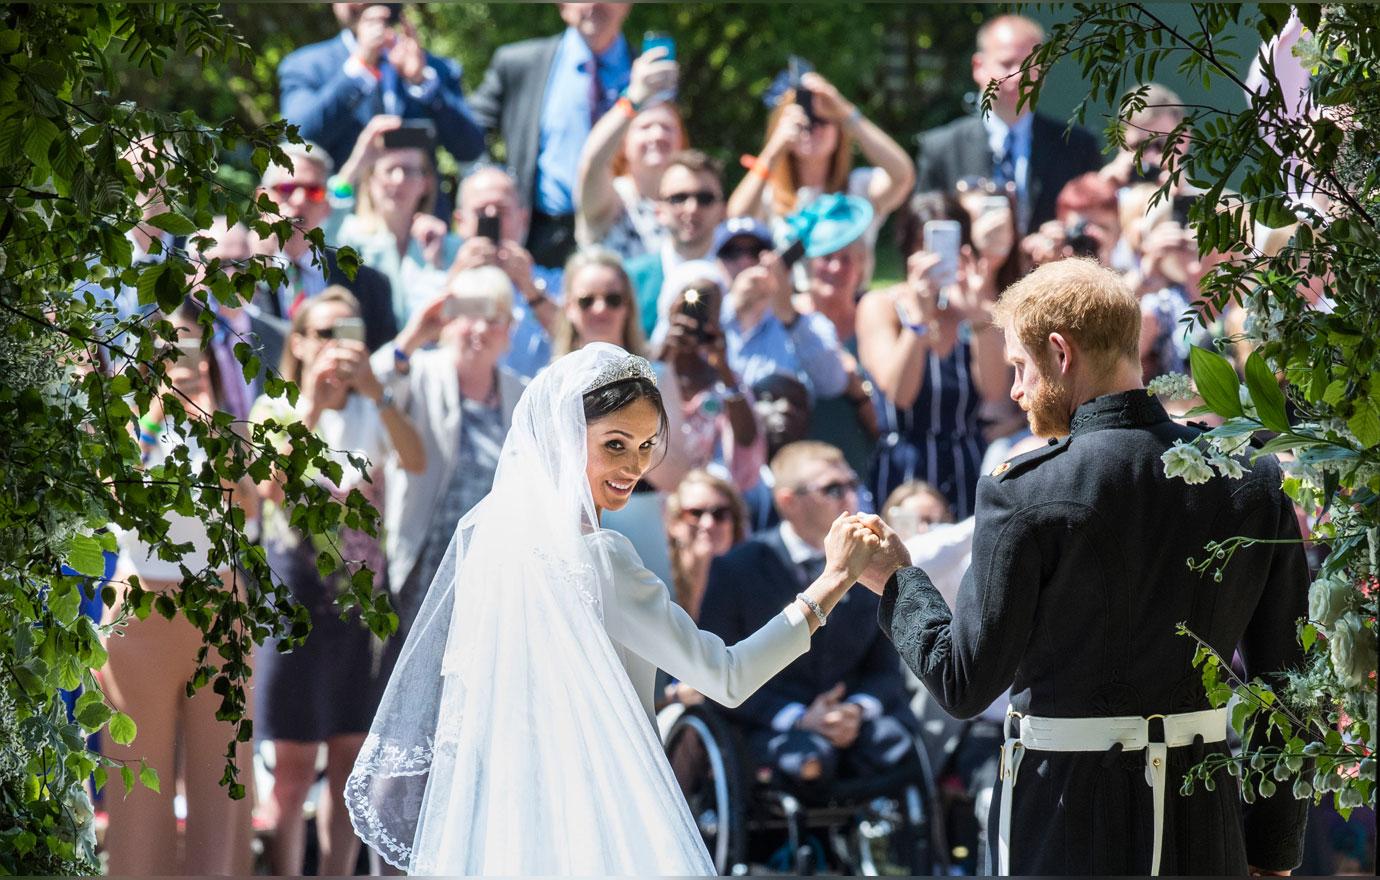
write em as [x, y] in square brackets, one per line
[1132, 733]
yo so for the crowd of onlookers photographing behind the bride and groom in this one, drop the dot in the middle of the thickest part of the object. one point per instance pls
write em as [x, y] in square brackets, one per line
[797, 388]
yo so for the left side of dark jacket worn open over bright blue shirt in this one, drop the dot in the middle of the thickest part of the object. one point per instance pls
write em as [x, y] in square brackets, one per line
[510, 103]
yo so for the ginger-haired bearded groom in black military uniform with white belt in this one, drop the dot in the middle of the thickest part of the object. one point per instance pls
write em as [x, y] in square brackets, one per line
[1077, 584]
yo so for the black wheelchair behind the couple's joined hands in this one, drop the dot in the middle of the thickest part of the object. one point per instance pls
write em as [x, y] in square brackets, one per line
[869, 827]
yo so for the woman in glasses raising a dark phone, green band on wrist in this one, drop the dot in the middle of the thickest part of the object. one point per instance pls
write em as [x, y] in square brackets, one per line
[386, 199]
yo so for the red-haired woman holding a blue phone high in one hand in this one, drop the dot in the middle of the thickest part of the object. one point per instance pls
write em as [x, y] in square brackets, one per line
[622, 163]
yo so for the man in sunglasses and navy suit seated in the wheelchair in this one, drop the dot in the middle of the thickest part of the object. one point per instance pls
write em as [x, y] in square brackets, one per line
[842, 711]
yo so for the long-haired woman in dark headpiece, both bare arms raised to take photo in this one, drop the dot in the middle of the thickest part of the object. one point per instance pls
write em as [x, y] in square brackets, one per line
[808, 155]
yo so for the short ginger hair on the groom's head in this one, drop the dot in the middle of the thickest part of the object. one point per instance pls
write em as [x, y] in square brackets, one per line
[1087, 303]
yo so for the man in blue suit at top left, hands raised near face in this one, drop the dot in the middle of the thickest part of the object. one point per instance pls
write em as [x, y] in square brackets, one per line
[373, 67]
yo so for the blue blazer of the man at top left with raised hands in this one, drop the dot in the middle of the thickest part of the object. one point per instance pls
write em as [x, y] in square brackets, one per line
[332, 107]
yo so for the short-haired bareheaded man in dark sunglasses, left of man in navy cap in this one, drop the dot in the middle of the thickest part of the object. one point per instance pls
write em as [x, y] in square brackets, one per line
[691, 208]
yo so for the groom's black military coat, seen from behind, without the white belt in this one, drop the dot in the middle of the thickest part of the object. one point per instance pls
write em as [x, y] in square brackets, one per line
[1077, 586]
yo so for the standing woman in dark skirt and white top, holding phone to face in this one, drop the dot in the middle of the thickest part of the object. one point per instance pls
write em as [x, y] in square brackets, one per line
[322, 692]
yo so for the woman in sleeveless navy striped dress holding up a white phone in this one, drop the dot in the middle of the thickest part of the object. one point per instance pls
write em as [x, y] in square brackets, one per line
[934, 366]
